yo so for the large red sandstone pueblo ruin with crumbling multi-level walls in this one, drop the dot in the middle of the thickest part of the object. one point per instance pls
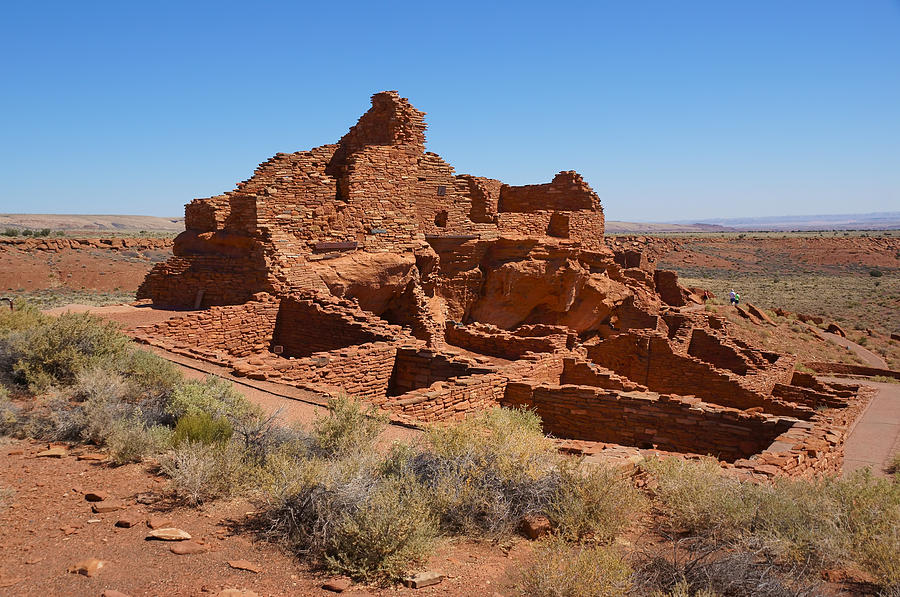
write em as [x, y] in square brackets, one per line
[370, 268]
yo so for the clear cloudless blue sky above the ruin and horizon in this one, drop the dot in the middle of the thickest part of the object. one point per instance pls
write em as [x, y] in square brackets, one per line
[671, 109]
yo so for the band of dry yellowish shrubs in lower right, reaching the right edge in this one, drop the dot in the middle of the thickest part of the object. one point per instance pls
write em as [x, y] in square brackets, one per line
[818, 522]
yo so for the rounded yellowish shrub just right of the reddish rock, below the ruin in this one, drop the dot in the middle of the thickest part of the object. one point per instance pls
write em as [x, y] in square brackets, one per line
[592, 500]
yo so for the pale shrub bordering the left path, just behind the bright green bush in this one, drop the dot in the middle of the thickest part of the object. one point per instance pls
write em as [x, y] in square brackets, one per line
[213, 396]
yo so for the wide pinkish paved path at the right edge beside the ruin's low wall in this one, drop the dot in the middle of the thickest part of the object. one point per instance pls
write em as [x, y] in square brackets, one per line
[876, 436]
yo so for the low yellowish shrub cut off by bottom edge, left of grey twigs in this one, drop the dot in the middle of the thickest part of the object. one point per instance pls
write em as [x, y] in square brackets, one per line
[560, 569]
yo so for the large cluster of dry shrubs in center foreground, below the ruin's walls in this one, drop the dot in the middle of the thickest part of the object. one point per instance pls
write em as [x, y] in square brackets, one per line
[371, 515]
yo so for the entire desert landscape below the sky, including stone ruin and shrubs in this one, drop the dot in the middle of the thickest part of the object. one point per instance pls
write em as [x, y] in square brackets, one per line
[337, 380]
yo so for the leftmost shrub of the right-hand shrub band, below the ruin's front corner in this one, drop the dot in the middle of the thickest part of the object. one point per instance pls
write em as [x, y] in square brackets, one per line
[698, 499]
